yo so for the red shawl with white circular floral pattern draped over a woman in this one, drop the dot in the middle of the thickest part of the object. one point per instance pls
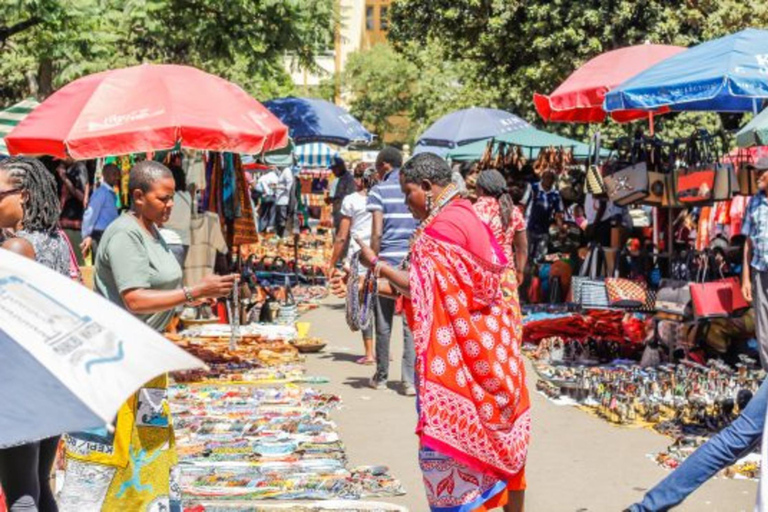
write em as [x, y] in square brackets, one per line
[473, 402]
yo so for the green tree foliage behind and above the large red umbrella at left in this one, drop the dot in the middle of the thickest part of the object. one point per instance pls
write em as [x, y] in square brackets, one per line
[45, 44]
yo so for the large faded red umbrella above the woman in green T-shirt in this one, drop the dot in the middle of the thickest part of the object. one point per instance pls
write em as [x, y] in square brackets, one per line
[147, 108]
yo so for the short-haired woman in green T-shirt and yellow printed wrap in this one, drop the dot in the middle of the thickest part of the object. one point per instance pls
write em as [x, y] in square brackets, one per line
[136, 270]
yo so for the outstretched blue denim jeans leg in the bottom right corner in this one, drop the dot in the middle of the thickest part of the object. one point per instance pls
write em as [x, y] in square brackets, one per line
[729, 445]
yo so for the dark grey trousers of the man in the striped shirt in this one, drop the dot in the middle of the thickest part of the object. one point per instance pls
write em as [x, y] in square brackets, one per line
[385, 313]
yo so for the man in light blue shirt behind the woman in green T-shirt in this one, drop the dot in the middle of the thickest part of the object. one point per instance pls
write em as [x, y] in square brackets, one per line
[101, 211]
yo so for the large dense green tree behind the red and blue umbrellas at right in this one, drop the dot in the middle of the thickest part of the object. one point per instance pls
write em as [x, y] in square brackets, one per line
[517, 48]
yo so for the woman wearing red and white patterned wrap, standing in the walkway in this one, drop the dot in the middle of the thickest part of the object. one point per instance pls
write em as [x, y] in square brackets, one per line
[474, 422]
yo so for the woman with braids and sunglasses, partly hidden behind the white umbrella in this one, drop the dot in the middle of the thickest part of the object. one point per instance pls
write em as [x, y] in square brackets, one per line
[29, 211]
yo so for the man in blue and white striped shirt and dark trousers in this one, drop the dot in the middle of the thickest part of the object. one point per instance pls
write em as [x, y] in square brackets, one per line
[393, 225]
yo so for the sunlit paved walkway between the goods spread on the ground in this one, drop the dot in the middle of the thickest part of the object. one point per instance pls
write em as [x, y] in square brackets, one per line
[576, 462]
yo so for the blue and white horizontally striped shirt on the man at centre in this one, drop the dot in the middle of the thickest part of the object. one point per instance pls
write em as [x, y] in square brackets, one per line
[399, 224]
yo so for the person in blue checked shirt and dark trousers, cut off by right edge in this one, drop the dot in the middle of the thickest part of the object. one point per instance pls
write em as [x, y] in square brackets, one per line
[755, 269]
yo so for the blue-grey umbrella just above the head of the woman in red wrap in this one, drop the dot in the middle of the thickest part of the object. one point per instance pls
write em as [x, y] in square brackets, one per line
[468, 125]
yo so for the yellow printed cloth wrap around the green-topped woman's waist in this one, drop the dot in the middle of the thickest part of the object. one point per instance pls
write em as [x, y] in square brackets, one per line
[133, 468]
